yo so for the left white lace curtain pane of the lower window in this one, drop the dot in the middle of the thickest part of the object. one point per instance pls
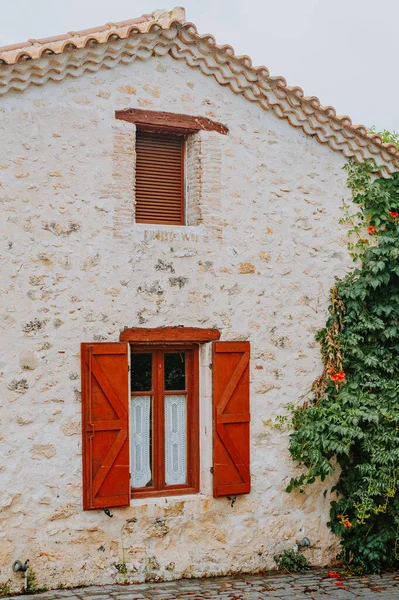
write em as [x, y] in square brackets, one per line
[141, 441]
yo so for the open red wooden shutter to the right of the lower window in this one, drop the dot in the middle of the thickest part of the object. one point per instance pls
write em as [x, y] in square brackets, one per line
[231, 474]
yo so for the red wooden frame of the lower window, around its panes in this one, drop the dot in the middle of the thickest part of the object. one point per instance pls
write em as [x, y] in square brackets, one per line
[160, 489]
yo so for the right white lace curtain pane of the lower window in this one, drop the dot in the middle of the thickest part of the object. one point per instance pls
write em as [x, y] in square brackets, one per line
[175, 439]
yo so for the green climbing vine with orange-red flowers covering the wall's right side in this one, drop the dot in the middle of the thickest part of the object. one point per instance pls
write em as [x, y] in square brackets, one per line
[350, 419]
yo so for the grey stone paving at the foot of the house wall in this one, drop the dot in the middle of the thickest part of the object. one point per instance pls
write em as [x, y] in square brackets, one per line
[314, 585]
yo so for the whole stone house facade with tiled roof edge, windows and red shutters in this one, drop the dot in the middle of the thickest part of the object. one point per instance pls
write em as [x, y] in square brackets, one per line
[246, 272]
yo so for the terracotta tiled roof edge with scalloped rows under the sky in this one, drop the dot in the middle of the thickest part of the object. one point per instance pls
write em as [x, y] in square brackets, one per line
[161, 32]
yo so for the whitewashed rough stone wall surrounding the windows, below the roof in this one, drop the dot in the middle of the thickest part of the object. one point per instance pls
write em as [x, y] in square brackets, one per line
[75, 267]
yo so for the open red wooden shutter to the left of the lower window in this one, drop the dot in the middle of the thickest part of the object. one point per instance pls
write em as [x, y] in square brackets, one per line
[105, 413]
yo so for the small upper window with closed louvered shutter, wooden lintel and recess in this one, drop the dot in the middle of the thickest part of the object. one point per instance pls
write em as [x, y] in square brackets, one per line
[163, 141]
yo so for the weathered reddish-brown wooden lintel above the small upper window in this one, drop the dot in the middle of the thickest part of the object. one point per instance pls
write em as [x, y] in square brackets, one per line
[165, 122]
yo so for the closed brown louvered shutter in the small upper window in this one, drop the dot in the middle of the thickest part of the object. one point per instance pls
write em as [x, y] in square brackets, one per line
[159, 178]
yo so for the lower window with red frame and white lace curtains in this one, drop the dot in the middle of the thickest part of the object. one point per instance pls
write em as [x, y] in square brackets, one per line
[164, 421]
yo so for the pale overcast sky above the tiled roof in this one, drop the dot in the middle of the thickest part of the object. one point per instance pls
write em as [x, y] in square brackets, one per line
[343, 51]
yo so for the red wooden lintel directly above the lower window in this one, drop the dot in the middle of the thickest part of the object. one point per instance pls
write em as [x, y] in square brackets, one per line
[169, 335]
